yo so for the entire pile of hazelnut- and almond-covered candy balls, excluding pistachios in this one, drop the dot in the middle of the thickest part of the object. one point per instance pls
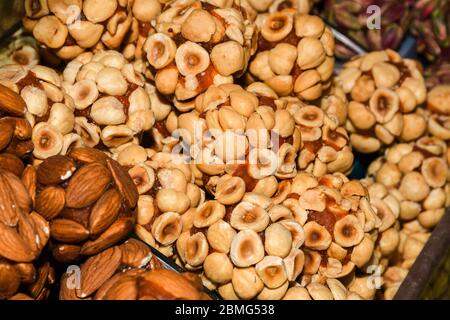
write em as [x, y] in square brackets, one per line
[218, 133]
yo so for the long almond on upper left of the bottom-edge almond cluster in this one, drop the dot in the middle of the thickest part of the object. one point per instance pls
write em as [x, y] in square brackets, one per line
[96, 270]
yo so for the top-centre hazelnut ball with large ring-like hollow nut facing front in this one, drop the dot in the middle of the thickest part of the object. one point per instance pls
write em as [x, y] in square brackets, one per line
[198, 44]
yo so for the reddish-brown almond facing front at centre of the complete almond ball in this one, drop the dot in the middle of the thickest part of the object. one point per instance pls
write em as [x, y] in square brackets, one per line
[87, 185]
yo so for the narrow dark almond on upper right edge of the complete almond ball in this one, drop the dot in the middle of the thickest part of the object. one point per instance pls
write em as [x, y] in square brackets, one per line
[123, 182]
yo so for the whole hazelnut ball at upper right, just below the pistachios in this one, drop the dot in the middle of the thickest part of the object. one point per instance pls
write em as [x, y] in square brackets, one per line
[383, 91]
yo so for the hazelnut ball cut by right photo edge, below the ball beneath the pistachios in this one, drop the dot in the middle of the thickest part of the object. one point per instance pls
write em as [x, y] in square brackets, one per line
[416, 174]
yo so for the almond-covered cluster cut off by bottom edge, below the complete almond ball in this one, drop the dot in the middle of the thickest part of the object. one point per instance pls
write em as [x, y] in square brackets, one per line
[128, 272]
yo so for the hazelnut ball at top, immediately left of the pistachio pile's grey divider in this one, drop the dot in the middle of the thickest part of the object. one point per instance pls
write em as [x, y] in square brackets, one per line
[295, 55]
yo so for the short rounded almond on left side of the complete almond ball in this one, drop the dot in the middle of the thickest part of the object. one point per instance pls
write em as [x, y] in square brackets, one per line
[50, 202]
